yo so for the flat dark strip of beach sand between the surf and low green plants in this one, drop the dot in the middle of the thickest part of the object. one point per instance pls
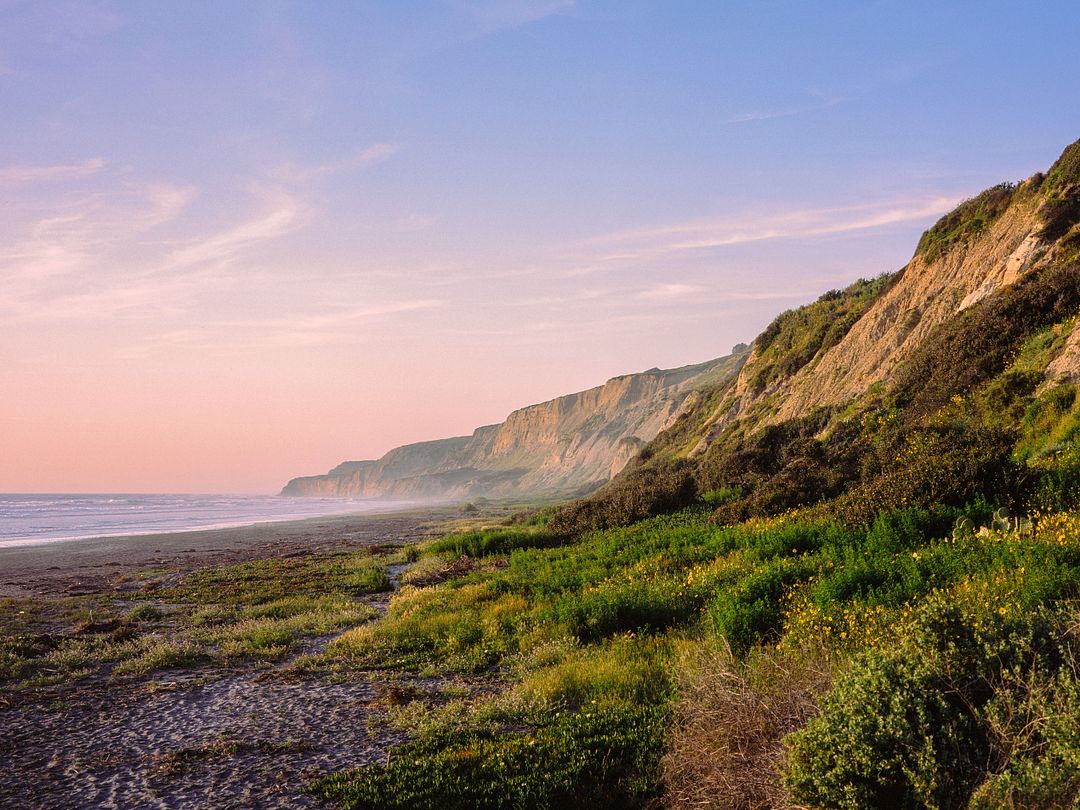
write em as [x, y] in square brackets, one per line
[71, 568]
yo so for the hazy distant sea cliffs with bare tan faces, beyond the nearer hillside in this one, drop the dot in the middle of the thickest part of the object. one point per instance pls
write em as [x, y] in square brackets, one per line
[560, 447]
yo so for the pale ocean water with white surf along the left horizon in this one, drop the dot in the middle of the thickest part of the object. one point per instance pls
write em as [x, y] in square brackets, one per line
[31, 520]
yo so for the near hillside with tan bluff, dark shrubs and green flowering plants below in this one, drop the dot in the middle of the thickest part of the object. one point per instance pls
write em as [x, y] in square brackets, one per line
[872, 603]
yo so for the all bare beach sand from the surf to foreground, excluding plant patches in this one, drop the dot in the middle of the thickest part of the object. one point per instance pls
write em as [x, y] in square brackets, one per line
[235, 734]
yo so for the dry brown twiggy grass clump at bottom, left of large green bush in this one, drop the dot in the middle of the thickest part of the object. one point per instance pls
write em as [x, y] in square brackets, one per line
[727, 740]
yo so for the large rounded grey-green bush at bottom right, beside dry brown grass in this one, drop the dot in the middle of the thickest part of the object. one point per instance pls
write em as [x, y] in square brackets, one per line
[912, 727]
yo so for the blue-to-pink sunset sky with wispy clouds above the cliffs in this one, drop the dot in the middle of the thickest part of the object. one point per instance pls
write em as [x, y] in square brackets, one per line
[242, 242]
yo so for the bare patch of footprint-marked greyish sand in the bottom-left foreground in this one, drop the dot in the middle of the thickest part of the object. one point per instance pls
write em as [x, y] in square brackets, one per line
[109, 752]
